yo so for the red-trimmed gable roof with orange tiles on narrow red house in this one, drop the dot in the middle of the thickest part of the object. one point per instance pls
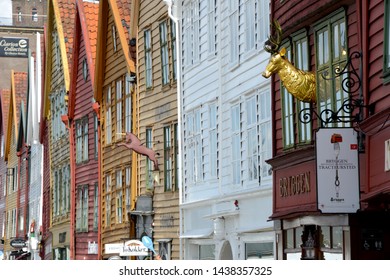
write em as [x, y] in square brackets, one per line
[86, 27]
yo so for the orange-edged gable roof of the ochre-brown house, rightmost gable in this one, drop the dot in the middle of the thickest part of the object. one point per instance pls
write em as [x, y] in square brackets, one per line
[120, 10]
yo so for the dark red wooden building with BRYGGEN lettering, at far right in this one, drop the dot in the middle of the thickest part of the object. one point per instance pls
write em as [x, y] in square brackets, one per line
[342, 215]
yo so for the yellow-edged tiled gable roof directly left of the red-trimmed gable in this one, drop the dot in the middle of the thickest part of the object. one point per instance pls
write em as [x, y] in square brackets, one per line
[62, 14]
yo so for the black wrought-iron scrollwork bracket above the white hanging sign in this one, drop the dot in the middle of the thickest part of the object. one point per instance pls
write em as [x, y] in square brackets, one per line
[351, 83]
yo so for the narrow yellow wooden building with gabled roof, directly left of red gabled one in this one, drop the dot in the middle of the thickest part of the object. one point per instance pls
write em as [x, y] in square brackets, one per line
[59, 34]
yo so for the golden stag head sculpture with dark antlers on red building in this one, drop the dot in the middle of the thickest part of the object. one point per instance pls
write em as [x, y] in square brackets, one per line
[301, 84]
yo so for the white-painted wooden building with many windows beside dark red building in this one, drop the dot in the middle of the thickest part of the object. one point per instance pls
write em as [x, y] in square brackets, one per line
[226, 130]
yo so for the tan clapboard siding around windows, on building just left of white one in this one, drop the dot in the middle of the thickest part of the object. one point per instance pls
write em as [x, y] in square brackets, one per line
[157, 108]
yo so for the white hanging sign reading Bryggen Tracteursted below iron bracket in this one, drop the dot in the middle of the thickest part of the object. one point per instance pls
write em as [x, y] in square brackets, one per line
[337, 170]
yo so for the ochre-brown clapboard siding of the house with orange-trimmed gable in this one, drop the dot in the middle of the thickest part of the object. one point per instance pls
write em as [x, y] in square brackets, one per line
[113, 66]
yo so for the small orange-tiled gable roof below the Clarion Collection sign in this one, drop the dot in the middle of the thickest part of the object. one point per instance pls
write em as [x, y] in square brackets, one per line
[17, 100]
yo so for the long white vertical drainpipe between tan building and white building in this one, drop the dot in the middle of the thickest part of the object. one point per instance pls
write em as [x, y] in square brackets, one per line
[174, 10]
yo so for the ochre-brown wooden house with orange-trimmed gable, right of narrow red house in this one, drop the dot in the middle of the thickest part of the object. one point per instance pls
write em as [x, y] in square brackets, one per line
[114, 91]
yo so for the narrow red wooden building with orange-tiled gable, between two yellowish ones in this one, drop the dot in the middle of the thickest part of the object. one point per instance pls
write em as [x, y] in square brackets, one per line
[84, 136]
